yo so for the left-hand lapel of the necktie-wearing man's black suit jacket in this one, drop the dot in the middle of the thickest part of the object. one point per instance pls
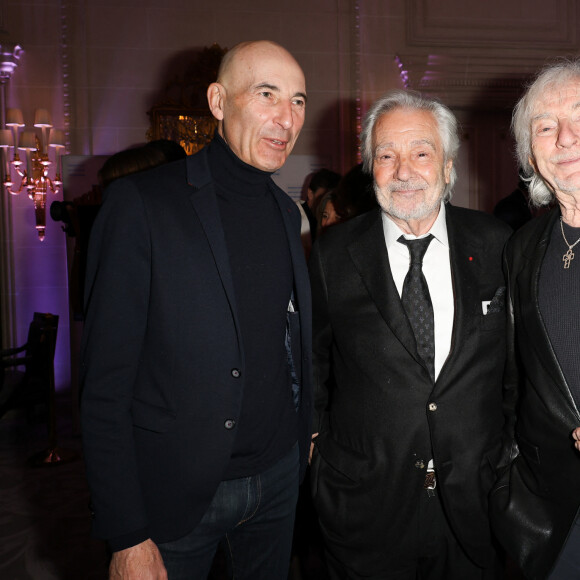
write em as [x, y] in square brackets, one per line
[369, 254]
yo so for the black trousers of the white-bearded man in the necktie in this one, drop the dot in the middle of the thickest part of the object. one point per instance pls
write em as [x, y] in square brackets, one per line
[437, 554]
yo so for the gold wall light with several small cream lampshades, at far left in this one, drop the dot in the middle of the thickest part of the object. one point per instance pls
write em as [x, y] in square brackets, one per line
[33, 174]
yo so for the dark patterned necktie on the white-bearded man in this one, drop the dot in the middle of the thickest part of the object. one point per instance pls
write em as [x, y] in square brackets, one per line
[417, 302]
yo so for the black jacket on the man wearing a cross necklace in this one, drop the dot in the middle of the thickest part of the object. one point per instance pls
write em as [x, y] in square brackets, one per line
[537, 496]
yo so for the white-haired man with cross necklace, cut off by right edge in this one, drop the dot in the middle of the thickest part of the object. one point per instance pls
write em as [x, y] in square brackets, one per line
[535, 502]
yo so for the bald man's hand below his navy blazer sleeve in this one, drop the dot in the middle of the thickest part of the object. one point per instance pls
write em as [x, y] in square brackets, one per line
[140, 562]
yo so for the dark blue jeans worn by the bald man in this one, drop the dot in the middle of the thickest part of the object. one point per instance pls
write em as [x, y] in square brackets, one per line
[253, 517]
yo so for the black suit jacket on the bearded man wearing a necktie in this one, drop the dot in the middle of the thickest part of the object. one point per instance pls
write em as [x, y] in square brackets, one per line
[380, 416]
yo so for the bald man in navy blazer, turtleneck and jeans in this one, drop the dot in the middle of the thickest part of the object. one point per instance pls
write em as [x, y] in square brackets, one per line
[196, 395]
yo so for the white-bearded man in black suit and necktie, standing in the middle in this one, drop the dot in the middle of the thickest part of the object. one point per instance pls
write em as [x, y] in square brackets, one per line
[408, 362]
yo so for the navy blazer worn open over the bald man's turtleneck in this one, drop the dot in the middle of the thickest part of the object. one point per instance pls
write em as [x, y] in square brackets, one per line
[163, 366]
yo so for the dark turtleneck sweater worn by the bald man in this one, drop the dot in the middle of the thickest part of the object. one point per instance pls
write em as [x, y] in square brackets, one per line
[262, 274]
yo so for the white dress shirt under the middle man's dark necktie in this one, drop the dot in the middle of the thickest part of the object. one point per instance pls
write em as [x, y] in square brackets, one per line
[437, 272]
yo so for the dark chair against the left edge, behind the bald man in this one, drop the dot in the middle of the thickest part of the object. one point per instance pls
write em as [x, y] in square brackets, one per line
[27, 371]
